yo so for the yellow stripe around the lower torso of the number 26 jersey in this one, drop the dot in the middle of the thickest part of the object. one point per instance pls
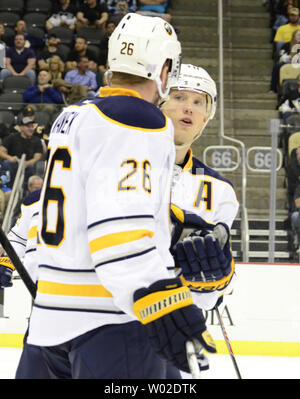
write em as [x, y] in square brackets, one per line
[87, 290]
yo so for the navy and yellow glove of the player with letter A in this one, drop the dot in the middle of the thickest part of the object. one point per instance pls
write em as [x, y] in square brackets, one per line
[204, 257]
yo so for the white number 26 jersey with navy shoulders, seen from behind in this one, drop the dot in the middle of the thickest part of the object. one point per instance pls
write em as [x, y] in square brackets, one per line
[103, 230]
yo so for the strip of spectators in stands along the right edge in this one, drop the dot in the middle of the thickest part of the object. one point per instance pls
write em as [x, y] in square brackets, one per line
[285, 82]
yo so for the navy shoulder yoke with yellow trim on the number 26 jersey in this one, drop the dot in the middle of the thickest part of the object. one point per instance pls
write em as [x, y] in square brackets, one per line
[130, 111]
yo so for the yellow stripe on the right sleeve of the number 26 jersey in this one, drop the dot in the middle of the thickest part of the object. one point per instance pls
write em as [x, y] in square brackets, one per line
[113, 239]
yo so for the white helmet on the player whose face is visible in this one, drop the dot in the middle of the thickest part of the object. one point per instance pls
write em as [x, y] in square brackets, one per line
[197, 79]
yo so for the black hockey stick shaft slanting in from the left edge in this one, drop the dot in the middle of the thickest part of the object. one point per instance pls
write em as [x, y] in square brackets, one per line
[15, 260]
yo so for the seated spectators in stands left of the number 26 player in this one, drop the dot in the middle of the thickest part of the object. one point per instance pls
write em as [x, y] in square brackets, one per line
[59, 49]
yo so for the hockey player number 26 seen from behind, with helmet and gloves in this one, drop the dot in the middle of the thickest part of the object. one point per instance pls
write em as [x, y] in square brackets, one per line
[106, 306]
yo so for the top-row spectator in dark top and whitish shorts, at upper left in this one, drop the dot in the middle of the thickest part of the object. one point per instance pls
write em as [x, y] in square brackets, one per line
[63, 13]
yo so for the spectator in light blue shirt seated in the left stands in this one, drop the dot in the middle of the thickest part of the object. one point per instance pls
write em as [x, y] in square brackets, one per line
[81, 75]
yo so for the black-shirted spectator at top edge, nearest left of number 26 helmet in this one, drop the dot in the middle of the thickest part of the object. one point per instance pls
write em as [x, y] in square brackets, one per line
[92, 14]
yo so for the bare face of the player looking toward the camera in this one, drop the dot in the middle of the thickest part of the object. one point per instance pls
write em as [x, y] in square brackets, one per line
[189, 112]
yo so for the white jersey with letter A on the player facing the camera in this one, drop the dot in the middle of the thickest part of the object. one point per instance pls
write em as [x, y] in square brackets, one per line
[201, 190]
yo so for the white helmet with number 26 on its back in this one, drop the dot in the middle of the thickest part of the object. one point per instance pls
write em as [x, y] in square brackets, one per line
[140, 46]
